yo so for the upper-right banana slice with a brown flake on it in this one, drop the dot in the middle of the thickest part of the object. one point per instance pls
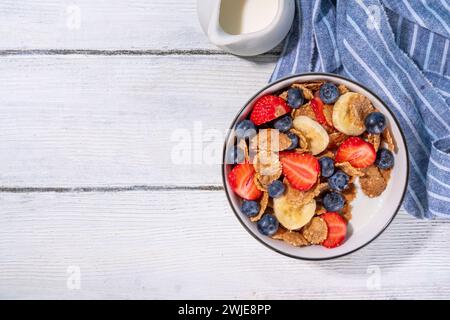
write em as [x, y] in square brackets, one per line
[349, 113]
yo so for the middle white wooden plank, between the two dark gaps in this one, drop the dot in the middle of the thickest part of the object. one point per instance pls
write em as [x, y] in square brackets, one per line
[70, 121]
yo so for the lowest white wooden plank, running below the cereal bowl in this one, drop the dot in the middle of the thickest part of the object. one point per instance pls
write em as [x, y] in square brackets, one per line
[177, 244]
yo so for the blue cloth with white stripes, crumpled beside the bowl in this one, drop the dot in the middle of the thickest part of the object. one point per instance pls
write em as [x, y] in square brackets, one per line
[400, 50]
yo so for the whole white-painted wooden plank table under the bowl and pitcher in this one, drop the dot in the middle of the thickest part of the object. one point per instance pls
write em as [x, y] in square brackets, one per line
[91, 205]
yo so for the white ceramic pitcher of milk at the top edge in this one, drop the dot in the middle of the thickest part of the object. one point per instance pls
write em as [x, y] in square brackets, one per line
[249, 43]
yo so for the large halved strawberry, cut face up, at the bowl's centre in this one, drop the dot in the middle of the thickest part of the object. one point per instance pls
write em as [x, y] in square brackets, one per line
[301, 169]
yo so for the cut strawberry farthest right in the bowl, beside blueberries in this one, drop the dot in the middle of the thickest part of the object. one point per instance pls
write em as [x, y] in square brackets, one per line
[356, 151]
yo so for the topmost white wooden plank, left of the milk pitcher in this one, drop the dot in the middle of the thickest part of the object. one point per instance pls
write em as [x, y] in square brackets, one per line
[101, 25]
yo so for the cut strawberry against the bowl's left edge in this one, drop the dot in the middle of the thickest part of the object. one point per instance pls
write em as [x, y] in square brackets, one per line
[241, 181]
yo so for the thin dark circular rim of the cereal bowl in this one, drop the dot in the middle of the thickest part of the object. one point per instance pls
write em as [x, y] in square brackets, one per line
[238, 216]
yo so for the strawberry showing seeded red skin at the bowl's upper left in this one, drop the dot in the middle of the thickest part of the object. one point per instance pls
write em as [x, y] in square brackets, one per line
[268, 108]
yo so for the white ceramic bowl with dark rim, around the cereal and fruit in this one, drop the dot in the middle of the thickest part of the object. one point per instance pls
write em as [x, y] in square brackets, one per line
[370, 216]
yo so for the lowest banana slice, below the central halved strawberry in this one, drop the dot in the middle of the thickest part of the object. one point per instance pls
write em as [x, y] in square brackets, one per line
[291, 216]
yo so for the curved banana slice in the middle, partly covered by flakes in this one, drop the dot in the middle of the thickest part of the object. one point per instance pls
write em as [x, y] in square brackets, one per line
[316, 135]
